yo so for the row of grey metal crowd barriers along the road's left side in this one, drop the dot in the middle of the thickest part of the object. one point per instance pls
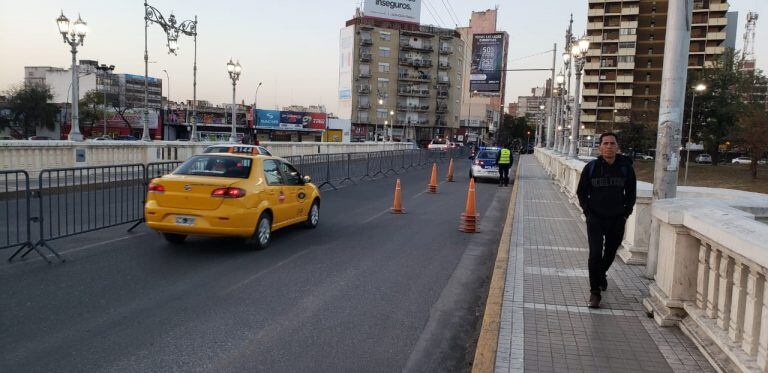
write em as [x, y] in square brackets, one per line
[71, 201]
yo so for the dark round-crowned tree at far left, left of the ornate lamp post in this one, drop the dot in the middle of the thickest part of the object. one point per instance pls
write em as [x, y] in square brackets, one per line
[30, 107]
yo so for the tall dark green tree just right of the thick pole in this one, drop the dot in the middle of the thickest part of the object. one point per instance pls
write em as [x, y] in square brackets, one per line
[717, 111]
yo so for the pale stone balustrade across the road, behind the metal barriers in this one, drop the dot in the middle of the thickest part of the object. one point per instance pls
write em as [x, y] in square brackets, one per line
[34, 156]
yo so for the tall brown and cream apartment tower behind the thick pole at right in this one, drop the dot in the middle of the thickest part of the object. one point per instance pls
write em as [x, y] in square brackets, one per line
[622, 75]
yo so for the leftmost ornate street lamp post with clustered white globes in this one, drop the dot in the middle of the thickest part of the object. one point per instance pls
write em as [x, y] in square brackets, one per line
[74, 35]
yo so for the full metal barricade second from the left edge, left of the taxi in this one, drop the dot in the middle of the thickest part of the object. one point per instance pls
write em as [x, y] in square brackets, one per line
[79, 200]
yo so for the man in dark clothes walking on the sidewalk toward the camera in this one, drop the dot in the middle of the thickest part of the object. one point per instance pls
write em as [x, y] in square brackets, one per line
[607, 191]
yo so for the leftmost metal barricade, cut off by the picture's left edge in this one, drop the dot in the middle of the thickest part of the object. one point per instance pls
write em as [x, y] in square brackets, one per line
[15, 211]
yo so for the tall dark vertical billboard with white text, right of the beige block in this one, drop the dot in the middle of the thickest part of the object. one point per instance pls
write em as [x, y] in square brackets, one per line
[487, 62]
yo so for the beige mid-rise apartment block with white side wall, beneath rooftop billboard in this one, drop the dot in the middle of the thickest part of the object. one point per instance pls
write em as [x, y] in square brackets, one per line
[400, 79]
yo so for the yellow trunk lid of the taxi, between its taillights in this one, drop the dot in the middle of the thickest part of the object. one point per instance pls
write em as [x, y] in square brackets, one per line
[185, 191]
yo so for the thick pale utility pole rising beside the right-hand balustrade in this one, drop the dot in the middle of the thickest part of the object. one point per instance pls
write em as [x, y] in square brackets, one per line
[672, 102]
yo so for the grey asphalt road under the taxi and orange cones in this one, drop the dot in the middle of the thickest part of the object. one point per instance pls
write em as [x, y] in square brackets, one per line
[365, 291]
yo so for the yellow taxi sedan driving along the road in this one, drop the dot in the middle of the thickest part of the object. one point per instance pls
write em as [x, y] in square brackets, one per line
[237, 194]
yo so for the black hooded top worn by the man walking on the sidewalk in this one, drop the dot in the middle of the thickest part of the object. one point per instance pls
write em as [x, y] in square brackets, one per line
[608, 191]
